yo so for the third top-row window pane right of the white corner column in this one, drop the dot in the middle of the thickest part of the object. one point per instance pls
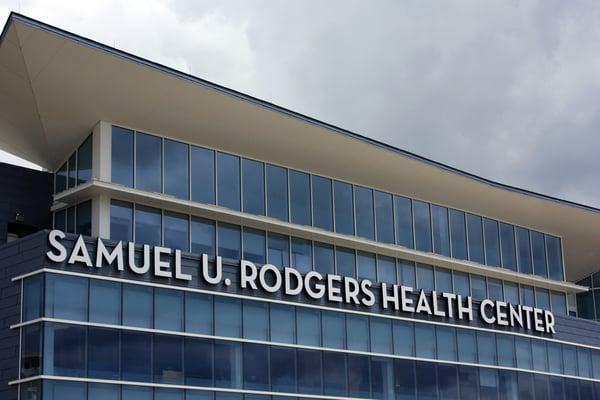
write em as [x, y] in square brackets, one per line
[176, 169]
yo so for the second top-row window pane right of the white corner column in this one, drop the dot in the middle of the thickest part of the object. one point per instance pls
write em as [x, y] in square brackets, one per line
[148, 162]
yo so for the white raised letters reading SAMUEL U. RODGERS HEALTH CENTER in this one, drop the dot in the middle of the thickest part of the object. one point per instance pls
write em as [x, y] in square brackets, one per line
[271, 279]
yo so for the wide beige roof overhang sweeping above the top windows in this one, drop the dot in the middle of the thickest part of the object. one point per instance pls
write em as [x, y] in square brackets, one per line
[55, 86]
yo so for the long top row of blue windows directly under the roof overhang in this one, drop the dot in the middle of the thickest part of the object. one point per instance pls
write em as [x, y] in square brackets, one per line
[251, 186]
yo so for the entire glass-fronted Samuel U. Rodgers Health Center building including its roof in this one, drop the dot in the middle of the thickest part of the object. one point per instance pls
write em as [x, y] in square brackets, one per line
[193, 242]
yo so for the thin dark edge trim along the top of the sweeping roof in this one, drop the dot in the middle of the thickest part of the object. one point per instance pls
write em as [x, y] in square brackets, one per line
[14, 16]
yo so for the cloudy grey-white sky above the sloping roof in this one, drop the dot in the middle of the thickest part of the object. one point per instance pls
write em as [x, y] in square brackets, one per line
[509, 90]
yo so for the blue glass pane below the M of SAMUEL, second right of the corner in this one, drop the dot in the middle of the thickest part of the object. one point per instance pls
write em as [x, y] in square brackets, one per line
[105, 302]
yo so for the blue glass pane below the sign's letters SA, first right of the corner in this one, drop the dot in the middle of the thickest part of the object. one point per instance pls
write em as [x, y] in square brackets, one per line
[63, 297]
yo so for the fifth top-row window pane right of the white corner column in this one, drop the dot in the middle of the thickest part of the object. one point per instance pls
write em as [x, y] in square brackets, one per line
[228, 181]
